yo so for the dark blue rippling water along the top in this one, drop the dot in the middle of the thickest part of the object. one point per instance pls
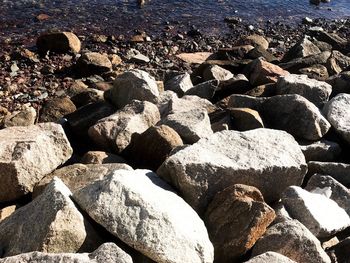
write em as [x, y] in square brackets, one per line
[123, 16]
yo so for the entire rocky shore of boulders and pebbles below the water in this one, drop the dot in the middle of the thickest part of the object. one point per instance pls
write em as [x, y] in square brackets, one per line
[177, 148]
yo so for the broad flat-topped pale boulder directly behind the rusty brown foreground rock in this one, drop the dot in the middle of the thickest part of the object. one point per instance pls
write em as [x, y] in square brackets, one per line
[199, 171]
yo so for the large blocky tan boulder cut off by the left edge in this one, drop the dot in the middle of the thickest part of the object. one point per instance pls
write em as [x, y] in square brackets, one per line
[27, 154]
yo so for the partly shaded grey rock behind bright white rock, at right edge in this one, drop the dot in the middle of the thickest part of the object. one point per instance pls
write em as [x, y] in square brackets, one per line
[336, 191]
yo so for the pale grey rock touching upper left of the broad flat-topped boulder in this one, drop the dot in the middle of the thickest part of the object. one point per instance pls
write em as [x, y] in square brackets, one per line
[191, 125]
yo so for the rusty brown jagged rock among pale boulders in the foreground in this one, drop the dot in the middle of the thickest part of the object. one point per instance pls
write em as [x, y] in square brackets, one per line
[236, 218]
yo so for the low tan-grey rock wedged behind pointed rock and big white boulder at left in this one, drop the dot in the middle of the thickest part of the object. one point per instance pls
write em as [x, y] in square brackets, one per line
[77, 176]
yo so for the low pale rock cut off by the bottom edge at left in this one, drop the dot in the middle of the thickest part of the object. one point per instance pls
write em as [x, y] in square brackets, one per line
[106, 253]
